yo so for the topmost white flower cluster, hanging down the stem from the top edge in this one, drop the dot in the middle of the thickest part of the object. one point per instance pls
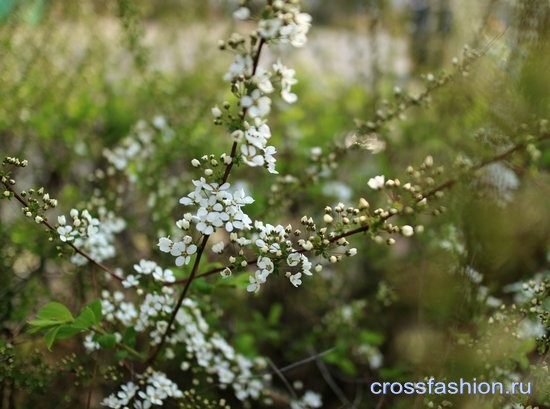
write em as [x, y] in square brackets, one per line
[281, 22]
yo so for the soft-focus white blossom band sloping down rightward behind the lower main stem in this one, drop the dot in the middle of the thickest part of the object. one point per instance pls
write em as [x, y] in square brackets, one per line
[191, 337]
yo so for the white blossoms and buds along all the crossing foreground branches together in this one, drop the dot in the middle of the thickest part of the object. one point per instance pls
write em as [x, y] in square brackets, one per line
[150, 304]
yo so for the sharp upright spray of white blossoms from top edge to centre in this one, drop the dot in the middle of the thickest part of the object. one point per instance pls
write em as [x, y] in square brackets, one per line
[214, 204]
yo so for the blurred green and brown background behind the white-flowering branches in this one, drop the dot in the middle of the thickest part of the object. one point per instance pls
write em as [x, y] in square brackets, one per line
[77, 78]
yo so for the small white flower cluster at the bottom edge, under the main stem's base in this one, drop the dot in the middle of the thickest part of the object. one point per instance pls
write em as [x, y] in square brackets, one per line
[155, 387]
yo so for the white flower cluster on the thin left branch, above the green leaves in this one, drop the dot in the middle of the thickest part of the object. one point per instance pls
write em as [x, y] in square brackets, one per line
[93, 235]
